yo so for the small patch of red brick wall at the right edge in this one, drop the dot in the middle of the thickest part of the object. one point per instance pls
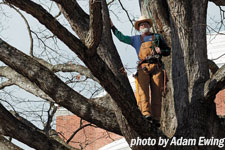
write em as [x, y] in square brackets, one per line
[220, 103]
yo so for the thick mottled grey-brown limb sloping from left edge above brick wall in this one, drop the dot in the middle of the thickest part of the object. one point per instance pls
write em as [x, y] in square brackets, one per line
[57, 90]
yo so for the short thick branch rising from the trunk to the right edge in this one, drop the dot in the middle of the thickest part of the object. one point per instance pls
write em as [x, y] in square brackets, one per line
[215, 84]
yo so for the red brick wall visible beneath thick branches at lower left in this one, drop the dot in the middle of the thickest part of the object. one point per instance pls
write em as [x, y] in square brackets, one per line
[89, 138]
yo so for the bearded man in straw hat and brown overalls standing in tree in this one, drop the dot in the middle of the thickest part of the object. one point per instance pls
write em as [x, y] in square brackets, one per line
[150, 47]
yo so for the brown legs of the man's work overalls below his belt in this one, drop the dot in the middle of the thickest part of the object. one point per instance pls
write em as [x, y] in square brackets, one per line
[150, 82]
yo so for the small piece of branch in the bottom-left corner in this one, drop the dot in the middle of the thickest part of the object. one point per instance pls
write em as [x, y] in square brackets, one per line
[7, 145]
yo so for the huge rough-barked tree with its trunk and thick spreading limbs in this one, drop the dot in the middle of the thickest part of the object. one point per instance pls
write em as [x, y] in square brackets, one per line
[189, 111]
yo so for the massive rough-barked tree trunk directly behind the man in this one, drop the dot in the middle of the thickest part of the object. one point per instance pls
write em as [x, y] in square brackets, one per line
[186, 112]
